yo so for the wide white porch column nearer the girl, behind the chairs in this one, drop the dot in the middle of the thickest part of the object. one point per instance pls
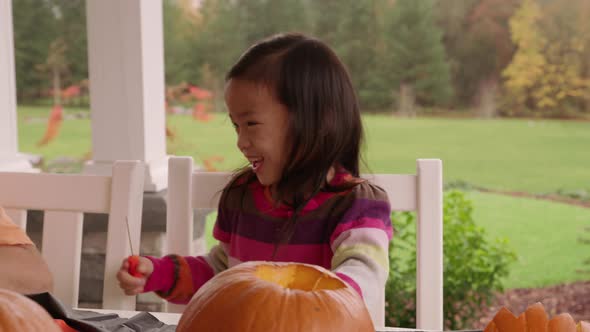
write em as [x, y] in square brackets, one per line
[126, 68]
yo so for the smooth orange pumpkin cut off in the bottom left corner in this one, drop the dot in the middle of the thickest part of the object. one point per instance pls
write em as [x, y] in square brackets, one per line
[19, 313]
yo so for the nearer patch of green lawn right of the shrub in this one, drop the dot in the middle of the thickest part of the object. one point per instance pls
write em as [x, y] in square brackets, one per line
[545, 236]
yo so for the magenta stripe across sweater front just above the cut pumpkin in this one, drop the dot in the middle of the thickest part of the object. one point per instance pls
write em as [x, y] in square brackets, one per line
[245, 249]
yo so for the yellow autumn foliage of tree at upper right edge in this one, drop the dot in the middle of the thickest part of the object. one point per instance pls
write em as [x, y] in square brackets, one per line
[543, 72]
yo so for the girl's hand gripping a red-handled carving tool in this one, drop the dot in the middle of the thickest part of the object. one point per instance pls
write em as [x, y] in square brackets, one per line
[134, 273]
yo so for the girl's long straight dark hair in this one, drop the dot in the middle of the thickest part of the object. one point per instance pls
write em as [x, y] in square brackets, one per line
[325, 126]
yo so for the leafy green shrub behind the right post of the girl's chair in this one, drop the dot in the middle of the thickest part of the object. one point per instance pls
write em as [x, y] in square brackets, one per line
[473, 266]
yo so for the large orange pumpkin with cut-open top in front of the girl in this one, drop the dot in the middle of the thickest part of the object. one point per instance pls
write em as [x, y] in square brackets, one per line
[278, 297]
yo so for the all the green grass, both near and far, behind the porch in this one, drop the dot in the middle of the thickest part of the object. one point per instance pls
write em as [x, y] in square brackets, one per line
[517, 155]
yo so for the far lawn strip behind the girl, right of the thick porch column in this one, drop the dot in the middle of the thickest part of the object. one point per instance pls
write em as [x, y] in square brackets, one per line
[522, 155]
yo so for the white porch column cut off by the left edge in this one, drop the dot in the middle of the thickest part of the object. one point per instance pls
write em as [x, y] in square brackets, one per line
[10, 158]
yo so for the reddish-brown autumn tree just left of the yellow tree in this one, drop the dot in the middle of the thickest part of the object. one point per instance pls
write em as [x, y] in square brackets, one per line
[477, 37]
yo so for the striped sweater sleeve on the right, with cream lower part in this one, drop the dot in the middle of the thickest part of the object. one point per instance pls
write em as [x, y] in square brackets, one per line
[360, 243]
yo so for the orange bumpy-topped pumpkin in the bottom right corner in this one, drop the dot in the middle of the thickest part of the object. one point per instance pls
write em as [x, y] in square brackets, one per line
[534, 319]
